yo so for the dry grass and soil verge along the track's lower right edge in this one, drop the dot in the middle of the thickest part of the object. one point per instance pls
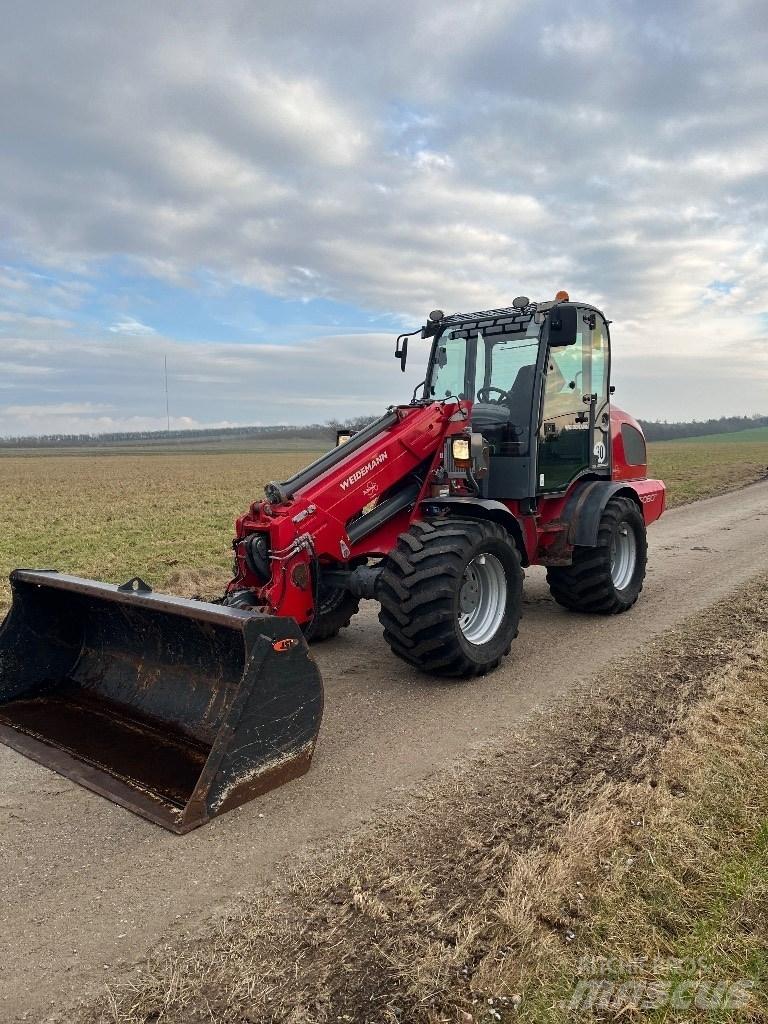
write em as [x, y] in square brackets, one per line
[628, 823]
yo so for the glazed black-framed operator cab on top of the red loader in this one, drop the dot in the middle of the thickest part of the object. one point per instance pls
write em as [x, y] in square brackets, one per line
[538, 378]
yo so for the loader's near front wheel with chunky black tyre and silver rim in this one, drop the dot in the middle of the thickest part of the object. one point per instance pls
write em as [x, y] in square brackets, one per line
[451, 596]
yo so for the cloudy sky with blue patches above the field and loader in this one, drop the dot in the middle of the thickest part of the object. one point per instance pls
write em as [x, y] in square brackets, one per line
[266, 193]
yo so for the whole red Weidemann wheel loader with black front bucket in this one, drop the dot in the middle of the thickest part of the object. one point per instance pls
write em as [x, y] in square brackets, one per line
[513, 455]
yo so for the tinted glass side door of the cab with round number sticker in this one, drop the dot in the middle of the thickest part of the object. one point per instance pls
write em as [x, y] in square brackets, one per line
[574, 436]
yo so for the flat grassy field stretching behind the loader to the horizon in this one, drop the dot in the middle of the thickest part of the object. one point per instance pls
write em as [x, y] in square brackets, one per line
[168, 515]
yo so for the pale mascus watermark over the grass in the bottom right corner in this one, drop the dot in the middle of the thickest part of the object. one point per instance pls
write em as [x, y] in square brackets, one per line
[647, 985]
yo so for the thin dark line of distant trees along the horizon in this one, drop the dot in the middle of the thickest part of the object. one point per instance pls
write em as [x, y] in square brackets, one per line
[656, 431]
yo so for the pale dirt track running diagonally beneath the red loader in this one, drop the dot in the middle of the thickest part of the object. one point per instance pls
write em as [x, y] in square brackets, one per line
[87, 886]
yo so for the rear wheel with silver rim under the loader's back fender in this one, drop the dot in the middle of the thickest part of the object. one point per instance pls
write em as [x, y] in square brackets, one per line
[608, 579]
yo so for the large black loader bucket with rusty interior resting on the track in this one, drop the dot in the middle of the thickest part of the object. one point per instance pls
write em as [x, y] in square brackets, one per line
[178, 710]
